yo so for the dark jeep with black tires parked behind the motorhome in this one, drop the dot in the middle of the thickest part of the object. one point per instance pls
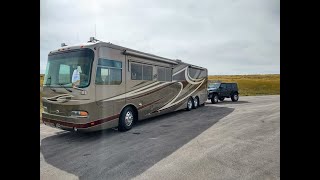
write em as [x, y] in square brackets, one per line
[219, 91]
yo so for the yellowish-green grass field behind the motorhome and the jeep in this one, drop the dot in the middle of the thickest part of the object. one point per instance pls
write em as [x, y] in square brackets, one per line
[249, 85]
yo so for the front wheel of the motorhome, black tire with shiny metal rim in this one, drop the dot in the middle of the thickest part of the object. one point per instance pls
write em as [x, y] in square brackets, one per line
[126, 119]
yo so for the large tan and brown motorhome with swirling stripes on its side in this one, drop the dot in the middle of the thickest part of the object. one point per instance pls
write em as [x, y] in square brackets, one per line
[99, 85]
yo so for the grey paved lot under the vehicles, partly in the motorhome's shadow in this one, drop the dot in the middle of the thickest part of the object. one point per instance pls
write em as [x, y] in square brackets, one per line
[223, 141]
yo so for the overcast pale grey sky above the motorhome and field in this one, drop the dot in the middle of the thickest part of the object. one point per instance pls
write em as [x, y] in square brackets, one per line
[225, 36]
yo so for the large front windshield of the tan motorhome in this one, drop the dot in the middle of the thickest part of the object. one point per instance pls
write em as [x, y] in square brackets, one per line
[70, 68]
